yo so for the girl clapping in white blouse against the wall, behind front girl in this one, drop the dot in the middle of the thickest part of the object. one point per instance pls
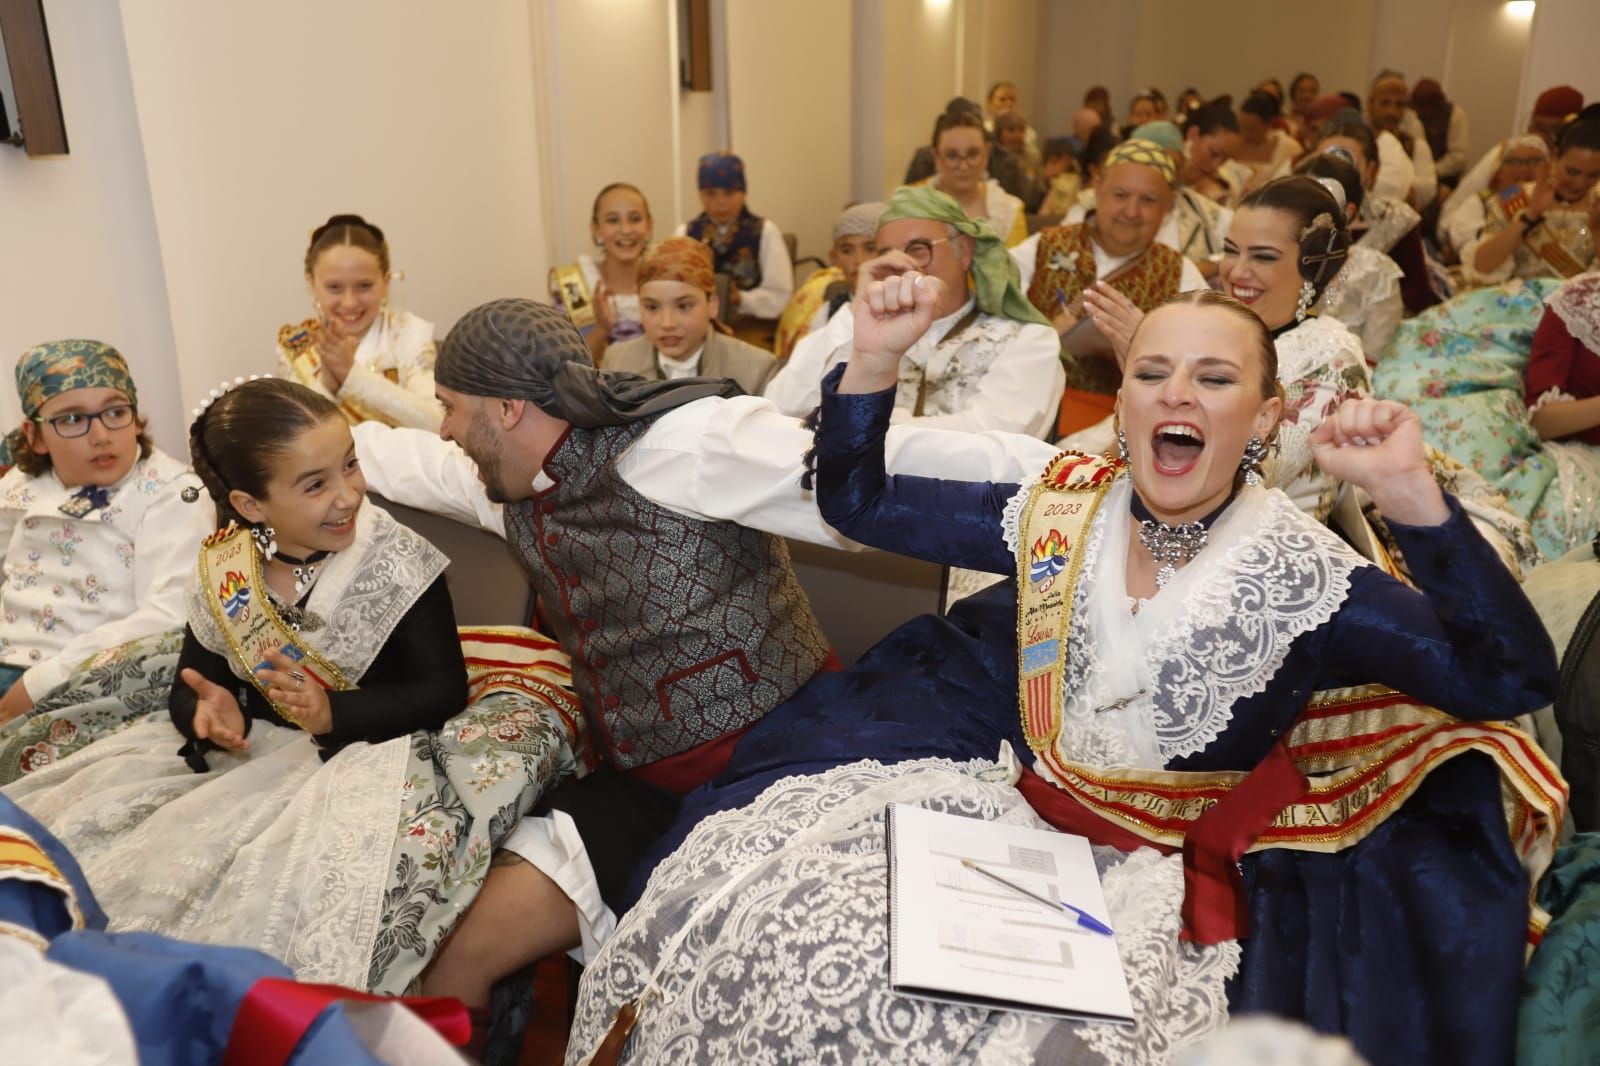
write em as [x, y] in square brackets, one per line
[375, 361]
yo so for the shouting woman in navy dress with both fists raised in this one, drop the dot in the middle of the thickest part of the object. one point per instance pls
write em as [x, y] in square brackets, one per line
[1361, 864]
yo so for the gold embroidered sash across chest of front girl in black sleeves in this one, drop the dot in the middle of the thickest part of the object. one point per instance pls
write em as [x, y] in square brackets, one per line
[236, 591]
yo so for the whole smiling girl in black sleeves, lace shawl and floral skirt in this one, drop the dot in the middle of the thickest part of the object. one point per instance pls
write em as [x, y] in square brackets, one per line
[353, 759]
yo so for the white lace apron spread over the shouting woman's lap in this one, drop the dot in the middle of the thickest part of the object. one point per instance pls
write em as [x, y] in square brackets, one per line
[793, 963]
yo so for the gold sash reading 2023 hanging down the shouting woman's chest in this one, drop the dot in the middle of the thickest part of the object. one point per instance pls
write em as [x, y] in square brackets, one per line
[1054, 534]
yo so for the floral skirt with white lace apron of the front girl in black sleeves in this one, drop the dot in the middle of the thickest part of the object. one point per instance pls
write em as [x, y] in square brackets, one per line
[351, 872]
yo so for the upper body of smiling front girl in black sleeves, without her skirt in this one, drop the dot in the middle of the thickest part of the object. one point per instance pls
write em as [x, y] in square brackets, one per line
[306, 591]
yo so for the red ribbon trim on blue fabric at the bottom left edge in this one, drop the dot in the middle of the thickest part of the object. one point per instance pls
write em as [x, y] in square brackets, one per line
[276, 1016]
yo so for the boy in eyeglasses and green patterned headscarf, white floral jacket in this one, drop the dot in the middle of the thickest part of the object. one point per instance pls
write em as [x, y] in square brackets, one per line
[98, 543]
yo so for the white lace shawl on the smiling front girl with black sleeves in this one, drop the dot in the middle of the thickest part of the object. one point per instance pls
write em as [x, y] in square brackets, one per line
[362, 595]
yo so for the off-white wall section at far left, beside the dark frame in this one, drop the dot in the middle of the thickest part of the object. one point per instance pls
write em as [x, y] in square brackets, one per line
[81, 255]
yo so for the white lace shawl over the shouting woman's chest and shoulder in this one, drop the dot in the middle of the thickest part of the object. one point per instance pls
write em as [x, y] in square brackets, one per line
[1217, 633]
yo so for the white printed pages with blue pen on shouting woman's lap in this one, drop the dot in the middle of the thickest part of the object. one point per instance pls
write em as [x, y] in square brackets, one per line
[959, 937]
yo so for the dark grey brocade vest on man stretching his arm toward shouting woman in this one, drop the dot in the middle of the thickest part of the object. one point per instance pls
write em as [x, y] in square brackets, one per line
[679, 630]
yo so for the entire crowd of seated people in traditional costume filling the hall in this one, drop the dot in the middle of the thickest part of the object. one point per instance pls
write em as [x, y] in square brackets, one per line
[1321, 393]
